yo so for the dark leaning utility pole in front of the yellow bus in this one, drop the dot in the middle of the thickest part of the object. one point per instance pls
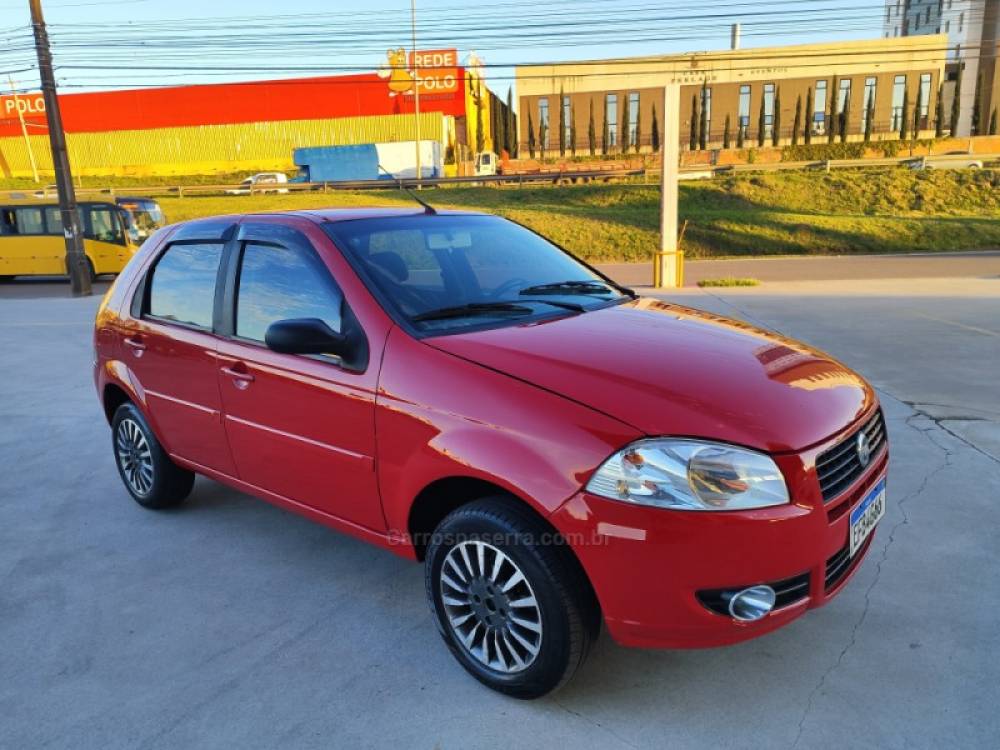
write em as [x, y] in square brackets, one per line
[76, 259]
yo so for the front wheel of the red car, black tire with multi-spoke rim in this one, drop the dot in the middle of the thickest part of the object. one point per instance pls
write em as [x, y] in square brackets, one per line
[567, 615]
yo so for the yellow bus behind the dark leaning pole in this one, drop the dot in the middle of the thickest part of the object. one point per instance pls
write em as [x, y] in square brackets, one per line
[32, 242]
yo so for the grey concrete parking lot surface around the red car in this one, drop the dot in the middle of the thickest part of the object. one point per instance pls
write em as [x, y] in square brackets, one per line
[229, 623]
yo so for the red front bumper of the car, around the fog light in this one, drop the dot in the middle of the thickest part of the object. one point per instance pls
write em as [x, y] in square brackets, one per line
[647, 564]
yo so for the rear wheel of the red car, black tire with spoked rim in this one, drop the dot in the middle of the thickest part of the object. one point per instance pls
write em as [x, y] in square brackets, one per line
[165, 484]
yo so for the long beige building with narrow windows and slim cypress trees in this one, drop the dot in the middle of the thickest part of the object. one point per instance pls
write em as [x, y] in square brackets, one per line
[757, 90]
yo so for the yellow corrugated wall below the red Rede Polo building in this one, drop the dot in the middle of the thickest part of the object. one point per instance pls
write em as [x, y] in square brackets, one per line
[207, 149]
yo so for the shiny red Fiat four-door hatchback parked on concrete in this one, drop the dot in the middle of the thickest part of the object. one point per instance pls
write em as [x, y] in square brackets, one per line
[451, 386]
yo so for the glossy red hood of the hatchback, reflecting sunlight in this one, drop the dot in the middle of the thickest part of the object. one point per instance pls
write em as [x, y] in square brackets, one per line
[671, 370]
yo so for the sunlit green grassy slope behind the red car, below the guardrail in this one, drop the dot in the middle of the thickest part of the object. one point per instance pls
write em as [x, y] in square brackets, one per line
[888, 210]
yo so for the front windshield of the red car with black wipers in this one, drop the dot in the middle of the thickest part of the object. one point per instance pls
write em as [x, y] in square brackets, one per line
[450, 272]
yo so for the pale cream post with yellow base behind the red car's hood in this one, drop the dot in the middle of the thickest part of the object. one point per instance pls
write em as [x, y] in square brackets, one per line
[668, 263]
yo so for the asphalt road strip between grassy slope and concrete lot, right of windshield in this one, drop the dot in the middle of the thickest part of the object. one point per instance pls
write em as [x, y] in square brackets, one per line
[831, 268]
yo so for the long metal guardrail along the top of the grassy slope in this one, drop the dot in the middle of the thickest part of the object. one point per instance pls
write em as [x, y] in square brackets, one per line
[550, 177]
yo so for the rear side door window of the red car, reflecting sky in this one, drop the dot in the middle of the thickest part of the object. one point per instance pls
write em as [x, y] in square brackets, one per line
[182, 285]
